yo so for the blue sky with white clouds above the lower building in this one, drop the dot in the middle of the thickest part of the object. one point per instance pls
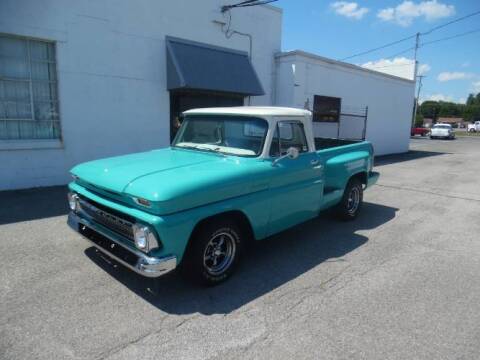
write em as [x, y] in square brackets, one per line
[339, 29]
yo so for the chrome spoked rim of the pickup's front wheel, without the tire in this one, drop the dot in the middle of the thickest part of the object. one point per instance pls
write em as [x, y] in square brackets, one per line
[219, 253]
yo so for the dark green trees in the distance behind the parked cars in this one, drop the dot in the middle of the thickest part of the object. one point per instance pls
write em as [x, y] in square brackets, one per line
[435, 109]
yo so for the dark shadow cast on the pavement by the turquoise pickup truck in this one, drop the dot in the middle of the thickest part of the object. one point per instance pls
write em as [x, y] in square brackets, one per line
[268, 265]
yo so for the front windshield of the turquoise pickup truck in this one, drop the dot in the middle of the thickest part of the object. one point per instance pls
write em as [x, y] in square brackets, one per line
[233, 135]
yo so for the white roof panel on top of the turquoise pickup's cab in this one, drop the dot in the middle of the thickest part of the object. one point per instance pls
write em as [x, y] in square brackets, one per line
[251, 111]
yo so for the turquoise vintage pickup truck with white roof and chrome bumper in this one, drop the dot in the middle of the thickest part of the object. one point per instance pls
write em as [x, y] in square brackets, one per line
[232, 175]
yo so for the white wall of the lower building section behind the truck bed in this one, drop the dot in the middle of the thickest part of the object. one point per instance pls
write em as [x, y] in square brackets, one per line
[300, 76]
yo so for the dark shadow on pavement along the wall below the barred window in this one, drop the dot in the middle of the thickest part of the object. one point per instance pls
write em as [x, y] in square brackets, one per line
[32, 204]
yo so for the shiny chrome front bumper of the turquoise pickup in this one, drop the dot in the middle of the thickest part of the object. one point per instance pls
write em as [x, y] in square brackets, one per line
[135, 260]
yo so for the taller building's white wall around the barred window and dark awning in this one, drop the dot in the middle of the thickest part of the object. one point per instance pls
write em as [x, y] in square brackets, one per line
[112, 74]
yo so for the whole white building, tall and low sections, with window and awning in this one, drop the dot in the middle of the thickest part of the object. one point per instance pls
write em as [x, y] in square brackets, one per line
[81, 80]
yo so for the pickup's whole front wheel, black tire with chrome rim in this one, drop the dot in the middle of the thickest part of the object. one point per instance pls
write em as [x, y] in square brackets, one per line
[213, 253]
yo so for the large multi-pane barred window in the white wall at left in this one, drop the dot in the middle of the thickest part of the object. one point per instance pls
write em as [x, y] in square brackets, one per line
[28, 89]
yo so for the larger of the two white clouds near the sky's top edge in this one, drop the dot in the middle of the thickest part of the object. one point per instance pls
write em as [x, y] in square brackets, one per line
[404, 13]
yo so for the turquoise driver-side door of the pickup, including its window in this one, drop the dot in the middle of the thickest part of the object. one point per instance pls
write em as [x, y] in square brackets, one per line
[296, 185]
